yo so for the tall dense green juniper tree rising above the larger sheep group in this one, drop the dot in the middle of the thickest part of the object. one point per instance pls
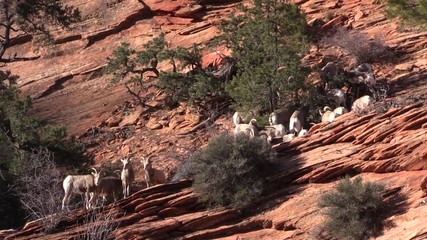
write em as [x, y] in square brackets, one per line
[267, 40]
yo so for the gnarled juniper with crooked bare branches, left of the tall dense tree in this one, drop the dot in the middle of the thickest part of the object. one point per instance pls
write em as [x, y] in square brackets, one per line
[186, 81]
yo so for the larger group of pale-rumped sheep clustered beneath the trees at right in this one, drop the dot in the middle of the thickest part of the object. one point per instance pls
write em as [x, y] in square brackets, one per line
[294, 118]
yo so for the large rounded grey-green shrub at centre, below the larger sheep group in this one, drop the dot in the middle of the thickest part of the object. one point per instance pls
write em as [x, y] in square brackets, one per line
[230, 171]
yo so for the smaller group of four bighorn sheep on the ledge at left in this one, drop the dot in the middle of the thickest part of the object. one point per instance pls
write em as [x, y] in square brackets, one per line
[94, 185]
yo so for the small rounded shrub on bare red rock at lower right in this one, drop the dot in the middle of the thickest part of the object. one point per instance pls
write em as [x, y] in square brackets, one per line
[355, 210]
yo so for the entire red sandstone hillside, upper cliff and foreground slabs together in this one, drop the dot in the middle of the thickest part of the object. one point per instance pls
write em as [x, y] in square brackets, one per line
[386, 146]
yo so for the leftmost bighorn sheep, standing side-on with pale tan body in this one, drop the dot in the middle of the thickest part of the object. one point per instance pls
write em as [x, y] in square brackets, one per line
[81, 184]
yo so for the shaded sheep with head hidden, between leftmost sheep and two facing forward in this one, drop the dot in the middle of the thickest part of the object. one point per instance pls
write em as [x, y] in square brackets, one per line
[109, 188]
